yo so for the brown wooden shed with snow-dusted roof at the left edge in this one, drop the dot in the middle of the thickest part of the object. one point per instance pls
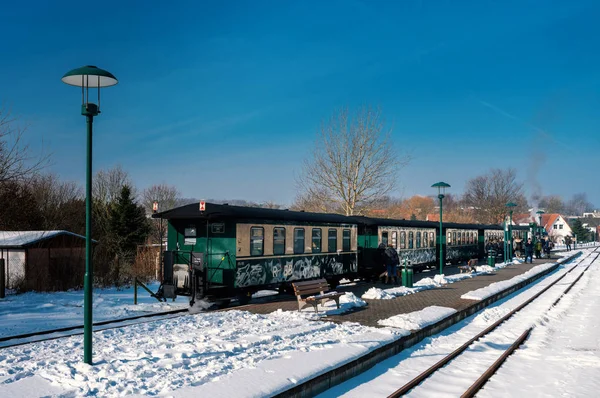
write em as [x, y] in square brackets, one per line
[42, 260]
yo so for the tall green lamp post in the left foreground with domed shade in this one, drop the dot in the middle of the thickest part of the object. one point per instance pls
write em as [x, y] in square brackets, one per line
[88, 77]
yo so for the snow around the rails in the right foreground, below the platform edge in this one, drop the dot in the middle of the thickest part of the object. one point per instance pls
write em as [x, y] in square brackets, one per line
[561, 357]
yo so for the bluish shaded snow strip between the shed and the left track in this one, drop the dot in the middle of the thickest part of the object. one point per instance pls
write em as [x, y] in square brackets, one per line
[32, 312]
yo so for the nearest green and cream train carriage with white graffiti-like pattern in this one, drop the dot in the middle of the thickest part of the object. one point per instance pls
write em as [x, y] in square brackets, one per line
[233, 251]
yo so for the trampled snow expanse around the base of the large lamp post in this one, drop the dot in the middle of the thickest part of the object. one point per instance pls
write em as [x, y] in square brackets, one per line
[266, 353]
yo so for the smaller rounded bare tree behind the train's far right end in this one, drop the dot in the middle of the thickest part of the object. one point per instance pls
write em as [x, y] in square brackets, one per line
[488, 195]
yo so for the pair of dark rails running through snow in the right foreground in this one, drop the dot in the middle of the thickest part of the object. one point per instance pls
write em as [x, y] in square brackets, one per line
[419, 381]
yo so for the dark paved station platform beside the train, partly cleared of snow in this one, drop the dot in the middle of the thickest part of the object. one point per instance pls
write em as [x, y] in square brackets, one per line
[445, 296]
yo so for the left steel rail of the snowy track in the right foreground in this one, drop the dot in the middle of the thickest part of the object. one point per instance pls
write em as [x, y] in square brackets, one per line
[432, 369]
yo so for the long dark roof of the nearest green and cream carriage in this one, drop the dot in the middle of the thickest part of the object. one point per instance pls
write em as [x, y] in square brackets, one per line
[215, 211]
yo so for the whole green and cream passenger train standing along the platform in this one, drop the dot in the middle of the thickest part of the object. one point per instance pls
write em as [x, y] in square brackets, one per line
[221, 251]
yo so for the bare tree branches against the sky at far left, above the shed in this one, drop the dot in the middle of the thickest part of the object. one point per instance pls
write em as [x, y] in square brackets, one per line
[16, 162]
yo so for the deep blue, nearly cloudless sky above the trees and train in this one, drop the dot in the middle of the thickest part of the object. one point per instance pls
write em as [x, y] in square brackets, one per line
[223, 99]
